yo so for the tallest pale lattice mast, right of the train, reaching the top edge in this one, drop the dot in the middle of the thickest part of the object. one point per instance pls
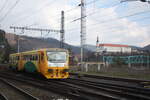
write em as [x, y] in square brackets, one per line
[83, 29]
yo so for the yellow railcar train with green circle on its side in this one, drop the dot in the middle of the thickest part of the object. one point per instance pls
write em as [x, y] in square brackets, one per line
[52, 63]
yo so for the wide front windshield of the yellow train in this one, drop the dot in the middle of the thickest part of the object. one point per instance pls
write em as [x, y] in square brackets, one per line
[57, 56]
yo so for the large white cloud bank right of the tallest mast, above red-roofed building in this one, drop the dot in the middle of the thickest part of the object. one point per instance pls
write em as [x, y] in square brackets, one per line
[121, 31]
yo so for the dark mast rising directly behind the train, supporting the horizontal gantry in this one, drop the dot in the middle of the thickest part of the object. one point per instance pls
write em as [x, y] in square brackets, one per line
[62, 31]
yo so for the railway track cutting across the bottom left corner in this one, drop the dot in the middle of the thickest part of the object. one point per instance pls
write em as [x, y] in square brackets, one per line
[17, 92]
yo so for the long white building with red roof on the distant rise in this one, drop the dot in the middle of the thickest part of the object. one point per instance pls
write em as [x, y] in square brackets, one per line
[114, 48]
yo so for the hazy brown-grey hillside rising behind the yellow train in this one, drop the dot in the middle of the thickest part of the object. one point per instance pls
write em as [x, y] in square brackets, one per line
[31, 43]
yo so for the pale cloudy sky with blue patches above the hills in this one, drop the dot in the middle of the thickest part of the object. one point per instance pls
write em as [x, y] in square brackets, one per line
[125, 23]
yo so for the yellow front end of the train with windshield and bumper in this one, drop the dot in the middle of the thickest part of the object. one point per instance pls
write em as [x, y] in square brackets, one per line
[57, 61]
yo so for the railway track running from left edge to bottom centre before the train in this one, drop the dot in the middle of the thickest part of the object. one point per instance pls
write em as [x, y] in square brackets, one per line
[69, 91]
